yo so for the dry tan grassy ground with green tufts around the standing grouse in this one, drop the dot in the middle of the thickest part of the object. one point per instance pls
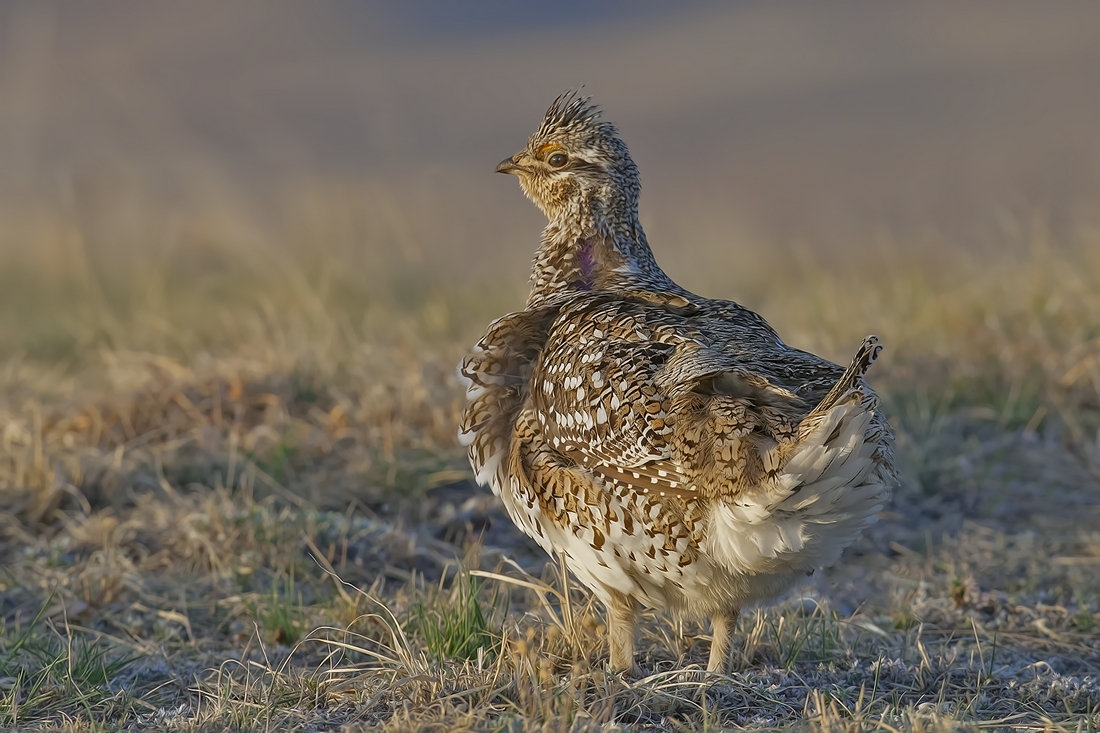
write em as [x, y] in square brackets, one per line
[247, 511]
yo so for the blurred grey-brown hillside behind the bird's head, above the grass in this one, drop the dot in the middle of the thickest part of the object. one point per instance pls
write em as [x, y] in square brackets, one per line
[369, 132]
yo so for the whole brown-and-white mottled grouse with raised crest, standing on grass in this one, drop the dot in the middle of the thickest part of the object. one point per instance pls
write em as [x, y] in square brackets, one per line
[670, 447]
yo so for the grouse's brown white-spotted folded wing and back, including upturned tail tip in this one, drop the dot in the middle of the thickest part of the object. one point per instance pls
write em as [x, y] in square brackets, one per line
[680, 399]
